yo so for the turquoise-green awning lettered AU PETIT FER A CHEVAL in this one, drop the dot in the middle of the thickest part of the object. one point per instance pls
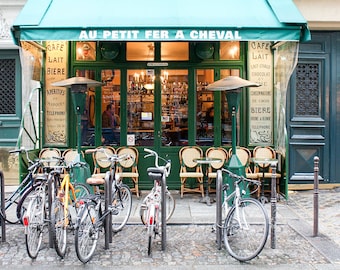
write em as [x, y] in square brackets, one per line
[155, 20]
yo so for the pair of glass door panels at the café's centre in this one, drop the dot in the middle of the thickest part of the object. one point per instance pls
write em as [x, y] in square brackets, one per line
[157, 107]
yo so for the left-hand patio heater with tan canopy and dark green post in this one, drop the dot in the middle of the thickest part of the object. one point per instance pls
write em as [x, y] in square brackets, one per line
[78, 87]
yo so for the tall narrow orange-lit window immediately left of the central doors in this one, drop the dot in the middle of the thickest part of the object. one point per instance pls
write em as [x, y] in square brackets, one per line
[110, 106]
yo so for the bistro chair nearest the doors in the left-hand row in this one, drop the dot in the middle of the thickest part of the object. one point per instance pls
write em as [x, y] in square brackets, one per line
[128, 168]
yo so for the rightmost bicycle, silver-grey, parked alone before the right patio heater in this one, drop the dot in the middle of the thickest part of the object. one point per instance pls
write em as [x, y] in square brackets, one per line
[246, 226]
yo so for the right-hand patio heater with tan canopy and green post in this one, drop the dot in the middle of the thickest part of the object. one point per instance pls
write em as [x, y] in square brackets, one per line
[232, 85]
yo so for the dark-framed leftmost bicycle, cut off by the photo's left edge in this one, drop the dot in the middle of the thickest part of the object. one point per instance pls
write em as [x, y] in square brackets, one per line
[18, 198]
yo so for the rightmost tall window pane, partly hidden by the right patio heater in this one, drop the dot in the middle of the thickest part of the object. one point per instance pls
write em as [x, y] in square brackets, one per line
[225, 114]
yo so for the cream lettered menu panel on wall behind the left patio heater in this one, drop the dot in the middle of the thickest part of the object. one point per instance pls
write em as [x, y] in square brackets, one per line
[56, 97]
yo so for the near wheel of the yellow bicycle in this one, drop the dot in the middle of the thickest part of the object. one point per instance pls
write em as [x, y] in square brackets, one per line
[58, 227]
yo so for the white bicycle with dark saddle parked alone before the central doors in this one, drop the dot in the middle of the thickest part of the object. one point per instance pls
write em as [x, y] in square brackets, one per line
[152, 203]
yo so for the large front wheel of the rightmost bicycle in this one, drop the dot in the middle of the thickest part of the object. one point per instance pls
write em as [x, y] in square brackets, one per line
[246, 229]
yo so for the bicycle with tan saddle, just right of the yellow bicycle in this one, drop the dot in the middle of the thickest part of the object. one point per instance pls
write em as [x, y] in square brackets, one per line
[97, 212]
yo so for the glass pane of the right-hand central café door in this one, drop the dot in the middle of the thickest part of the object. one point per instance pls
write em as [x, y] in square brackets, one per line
[174, 107]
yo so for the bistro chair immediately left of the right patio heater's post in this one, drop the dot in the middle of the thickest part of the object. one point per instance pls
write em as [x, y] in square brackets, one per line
[215, 152]
